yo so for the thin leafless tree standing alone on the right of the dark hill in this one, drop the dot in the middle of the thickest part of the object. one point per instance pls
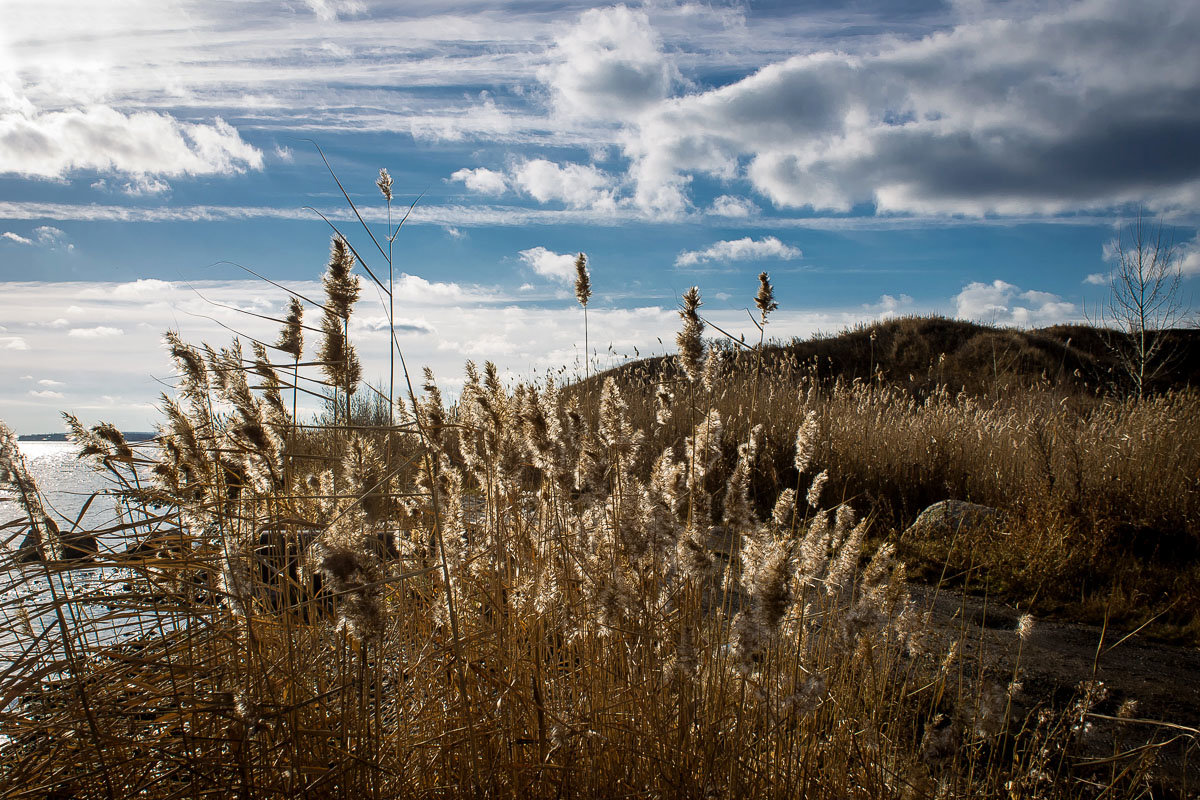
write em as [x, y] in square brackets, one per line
[1144, 300]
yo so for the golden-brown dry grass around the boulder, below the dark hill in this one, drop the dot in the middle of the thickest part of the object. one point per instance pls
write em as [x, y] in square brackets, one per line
[1102, 494]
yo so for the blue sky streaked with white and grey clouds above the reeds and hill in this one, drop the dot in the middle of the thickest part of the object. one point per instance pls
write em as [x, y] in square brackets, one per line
[959, 158]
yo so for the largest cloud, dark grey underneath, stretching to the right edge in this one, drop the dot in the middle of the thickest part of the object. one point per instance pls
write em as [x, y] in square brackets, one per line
[1083, 106]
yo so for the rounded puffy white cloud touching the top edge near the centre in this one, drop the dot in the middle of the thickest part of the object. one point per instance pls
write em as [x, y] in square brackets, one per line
[609, 65]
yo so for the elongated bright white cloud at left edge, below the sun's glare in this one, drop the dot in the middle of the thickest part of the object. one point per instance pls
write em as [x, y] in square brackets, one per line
[56, 143]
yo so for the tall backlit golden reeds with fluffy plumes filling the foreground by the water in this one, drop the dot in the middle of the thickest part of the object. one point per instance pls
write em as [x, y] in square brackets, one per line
[537, 592]
